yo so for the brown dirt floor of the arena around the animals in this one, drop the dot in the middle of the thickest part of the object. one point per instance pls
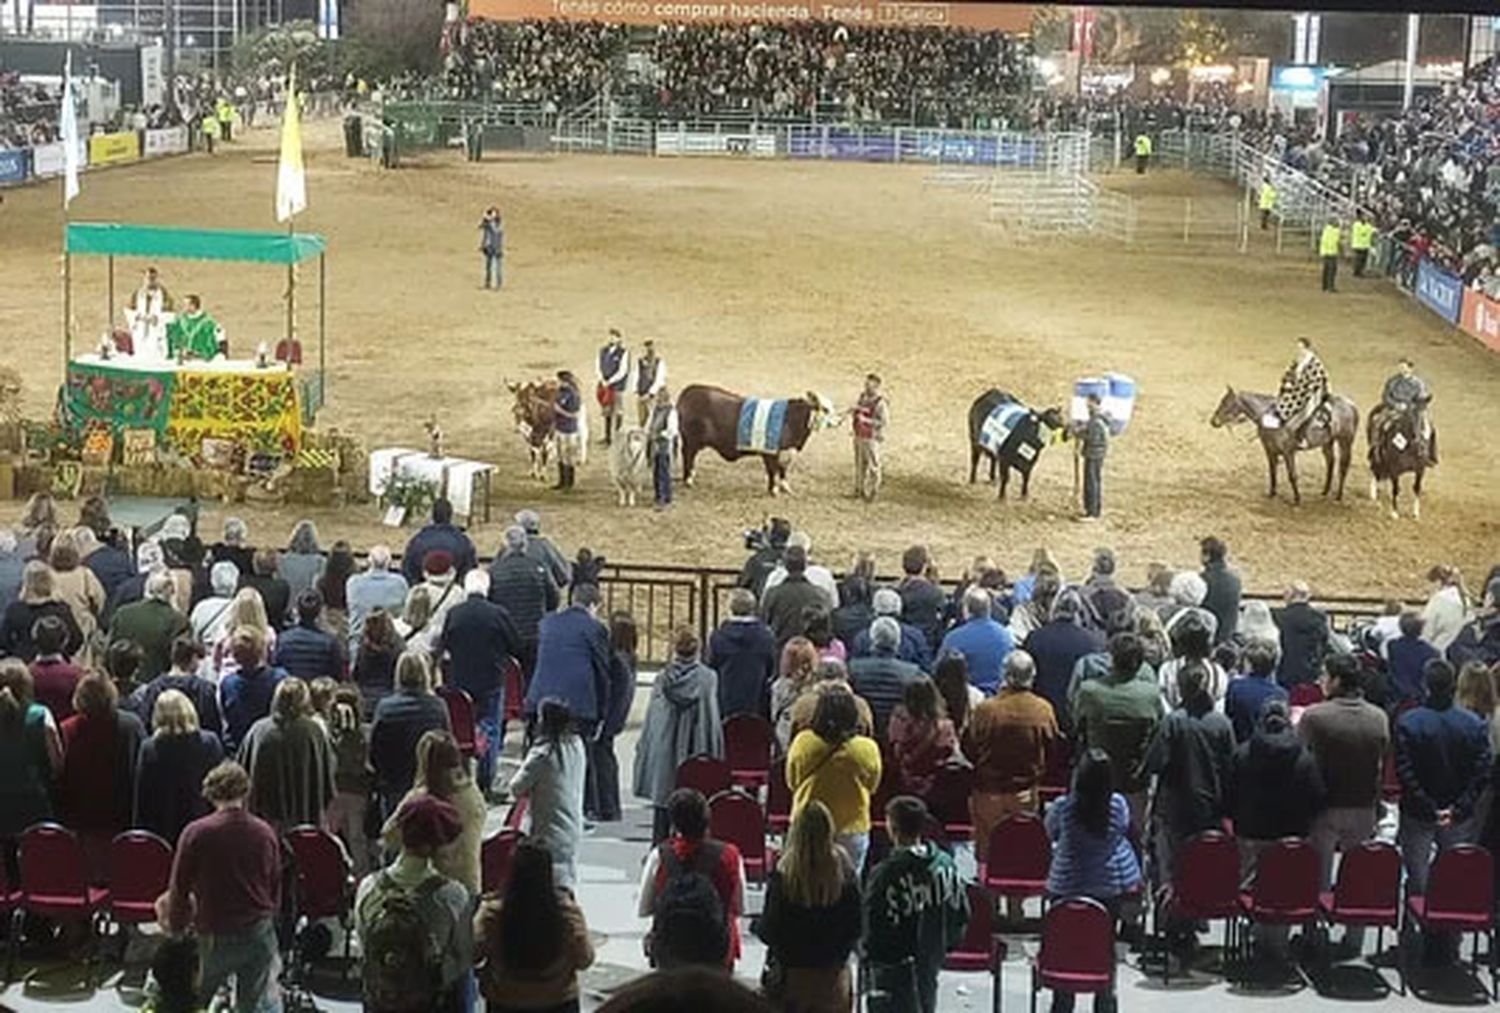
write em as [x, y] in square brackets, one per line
[778, 278]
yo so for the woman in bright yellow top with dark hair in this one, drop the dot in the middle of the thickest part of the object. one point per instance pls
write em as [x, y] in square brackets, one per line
[839, 768]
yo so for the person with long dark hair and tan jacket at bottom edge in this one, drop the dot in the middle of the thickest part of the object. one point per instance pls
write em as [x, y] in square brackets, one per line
[532, 942]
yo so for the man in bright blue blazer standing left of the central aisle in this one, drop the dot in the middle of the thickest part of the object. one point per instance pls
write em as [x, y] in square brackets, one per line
[574, 663]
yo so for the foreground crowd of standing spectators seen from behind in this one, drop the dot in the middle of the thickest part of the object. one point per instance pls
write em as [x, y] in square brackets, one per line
[221, 696]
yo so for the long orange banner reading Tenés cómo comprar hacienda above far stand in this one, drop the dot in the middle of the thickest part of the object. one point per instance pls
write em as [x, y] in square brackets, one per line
[986, 17]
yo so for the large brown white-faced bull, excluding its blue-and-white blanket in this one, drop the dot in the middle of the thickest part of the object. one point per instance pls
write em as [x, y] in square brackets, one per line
[710, 418]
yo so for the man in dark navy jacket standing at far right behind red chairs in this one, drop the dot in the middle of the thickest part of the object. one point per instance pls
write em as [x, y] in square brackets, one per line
[1444, 766]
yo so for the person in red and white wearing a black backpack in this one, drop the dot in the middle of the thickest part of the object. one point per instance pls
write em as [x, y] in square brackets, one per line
[694, 891]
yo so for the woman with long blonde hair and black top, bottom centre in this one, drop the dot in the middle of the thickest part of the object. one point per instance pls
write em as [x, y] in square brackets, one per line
[812, 919]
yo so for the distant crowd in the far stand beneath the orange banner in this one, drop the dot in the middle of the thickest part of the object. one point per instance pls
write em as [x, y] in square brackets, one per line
[905, 76]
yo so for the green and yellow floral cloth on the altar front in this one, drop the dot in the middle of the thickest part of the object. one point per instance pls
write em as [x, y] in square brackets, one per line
[223, 400]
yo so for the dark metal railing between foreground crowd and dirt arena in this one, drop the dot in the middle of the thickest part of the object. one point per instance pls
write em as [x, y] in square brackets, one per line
[662, 598]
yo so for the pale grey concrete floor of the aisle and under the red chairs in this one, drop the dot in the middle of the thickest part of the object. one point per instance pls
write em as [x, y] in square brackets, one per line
[610, 868]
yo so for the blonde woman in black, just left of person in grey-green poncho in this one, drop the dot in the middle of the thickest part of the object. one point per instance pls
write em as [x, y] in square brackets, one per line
[173, 762]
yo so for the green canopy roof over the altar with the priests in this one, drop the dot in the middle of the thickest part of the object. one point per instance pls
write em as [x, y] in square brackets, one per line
[191, 244]
